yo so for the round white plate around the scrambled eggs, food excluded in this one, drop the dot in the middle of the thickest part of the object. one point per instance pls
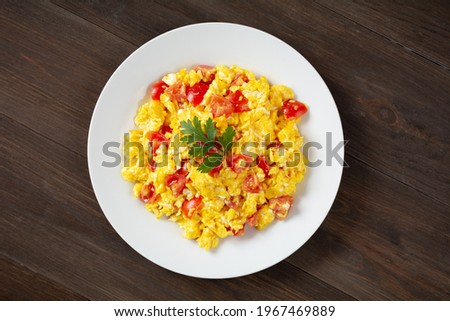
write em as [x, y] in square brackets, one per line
[161, 241]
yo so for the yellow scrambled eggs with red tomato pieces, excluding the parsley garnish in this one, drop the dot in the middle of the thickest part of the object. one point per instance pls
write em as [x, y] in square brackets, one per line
[213, 206]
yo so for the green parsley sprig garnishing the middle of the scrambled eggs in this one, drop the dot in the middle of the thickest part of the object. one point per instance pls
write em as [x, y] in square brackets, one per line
[204, 144]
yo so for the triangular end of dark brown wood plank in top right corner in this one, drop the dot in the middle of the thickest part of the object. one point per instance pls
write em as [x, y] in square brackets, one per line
[422, 27]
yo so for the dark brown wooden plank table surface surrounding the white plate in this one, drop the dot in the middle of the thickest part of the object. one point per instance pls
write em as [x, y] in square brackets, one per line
[387, 66]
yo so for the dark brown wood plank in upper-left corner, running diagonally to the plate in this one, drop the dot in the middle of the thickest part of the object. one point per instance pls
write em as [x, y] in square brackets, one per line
[69, 66]
